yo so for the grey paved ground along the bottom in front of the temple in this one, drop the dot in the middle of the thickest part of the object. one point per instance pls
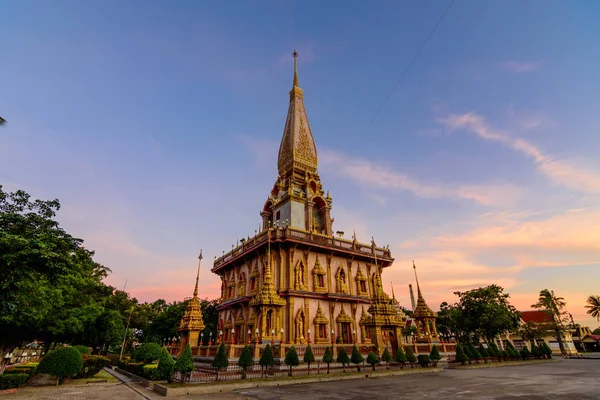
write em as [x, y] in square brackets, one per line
[567, 379]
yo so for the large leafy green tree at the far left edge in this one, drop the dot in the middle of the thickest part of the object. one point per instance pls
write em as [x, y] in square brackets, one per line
[50, 286]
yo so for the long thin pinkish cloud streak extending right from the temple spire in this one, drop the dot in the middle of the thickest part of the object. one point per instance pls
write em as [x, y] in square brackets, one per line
[376, 176]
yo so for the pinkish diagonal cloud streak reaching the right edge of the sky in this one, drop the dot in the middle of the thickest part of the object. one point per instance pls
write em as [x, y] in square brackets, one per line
[560, 171]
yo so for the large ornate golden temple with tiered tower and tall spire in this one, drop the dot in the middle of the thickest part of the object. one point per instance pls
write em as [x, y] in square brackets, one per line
[294, 281]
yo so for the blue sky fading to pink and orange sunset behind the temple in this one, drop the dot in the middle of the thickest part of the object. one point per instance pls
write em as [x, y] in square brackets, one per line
[157, 124]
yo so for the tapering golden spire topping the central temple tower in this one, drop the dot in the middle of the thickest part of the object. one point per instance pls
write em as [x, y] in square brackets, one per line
[297, 149]
